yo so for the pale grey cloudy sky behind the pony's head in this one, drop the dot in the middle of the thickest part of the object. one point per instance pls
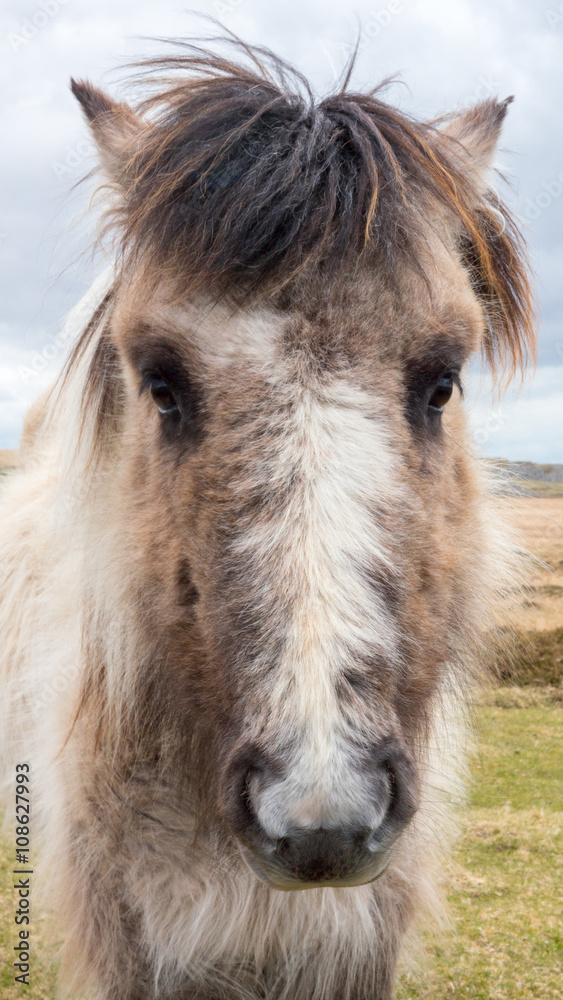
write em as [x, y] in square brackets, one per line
[449, 54]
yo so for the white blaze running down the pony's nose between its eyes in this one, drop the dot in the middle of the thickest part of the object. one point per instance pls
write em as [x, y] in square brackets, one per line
[317, 548]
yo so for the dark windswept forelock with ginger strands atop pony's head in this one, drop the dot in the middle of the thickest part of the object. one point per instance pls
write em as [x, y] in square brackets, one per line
[240, 182]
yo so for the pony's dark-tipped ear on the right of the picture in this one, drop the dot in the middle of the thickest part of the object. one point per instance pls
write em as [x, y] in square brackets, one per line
[477, 132]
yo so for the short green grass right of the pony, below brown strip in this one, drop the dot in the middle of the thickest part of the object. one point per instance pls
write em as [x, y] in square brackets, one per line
[506, 940]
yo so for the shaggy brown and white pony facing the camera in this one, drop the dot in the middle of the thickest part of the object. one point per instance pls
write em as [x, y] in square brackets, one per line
[252, 568]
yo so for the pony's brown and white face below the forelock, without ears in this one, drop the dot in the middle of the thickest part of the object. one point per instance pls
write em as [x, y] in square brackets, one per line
[302, 511]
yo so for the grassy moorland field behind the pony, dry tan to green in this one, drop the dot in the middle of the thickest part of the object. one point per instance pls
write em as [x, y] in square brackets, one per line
[506, 936]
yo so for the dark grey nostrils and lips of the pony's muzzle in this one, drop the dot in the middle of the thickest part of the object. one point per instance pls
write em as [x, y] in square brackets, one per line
[326, 851]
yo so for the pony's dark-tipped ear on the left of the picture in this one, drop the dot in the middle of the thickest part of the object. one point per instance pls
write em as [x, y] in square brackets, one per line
[115, 128]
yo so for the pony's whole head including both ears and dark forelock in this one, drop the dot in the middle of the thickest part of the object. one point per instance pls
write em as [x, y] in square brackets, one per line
[284, 361]
